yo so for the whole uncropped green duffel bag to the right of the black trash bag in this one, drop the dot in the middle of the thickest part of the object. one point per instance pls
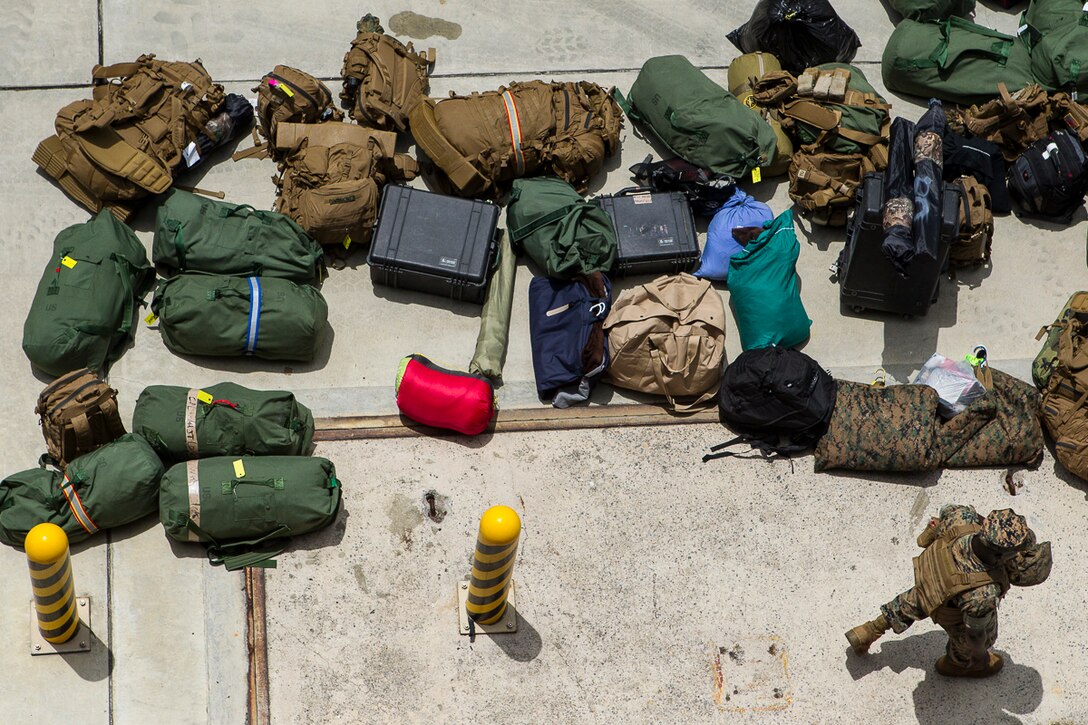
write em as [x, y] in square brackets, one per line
[955, 60]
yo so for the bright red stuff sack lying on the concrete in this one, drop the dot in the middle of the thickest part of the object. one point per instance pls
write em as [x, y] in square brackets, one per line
[444, 399]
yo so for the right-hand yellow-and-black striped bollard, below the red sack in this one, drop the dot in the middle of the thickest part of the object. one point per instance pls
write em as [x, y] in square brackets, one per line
[489, 588]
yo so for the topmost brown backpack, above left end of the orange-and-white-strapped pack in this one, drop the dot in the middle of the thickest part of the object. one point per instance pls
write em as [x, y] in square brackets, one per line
[384, 79]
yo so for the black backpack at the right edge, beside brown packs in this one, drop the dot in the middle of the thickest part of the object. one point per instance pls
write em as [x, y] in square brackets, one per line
[1048, 181]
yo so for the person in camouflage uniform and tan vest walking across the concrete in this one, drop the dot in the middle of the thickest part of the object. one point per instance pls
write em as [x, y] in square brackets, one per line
[969, 566]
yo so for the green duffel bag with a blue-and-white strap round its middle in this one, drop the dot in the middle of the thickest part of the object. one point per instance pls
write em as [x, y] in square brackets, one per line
[230, 316]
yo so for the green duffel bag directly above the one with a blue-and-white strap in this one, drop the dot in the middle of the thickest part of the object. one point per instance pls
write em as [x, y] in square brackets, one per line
[197, 235]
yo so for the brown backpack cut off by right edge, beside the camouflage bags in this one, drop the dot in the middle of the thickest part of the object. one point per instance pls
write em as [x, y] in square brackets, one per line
[1064, 399]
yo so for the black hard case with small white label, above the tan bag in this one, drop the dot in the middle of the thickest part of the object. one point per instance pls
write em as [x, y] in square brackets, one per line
[657, 232]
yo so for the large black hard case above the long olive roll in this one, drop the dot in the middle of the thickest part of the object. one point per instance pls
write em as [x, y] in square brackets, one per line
[435, 243]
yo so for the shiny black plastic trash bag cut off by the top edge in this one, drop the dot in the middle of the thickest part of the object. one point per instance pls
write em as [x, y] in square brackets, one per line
[800, 33]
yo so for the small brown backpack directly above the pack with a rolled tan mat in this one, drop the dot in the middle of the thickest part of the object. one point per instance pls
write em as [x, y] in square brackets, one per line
[288, 95]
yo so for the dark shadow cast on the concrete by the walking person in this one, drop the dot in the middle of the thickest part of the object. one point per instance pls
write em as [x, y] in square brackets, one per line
[1016, 691]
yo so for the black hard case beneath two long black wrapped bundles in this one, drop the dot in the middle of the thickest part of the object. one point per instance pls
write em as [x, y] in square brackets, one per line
[867, 278]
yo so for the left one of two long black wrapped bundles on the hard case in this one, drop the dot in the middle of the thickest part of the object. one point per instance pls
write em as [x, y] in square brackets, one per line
[898, 210]
